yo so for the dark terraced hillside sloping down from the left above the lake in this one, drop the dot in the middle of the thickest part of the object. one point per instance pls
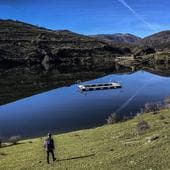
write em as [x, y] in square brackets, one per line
[24, 43]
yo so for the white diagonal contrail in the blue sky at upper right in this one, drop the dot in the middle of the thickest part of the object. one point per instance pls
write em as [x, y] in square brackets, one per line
[124, 3]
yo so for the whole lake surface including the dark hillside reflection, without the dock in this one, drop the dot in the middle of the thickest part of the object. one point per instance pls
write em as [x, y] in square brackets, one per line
[66, 108]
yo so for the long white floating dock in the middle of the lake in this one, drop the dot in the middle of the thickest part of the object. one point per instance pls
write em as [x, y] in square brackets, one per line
[99, 86]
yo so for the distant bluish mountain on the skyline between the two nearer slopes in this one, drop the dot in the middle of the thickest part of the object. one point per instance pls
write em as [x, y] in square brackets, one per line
[117, 38]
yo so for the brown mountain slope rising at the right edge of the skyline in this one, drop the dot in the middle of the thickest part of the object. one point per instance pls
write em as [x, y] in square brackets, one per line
[159, 41]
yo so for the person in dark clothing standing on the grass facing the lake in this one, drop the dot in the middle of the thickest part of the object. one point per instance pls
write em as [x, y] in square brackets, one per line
[49, 147]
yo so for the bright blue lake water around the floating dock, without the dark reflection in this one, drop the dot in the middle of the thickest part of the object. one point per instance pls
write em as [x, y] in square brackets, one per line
[66, 109]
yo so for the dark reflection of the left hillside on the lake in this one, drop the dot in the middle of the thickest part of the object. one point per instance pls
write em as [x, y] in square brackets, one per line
[20, 82]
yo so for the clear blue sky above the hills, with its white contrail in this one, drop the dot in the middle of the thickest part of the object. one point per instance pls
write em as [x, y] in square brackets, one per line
[139, 17]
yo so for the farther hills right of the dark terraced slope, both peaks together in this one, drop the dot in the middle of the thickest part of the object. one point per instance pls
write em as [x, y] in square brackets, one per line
[153, 43]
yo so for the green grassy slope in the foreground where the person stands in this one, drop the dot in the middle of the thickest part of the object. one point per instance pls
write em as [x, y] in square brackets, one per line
[110, 147]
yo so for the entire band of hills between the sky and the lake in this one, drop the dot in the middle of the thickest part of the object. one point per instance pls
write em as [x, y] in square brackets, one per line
[26, 44]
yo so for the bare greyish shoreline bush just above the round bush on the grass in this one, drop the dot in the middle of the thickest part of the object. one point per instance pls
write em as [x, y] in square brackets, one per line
[152, 107]
